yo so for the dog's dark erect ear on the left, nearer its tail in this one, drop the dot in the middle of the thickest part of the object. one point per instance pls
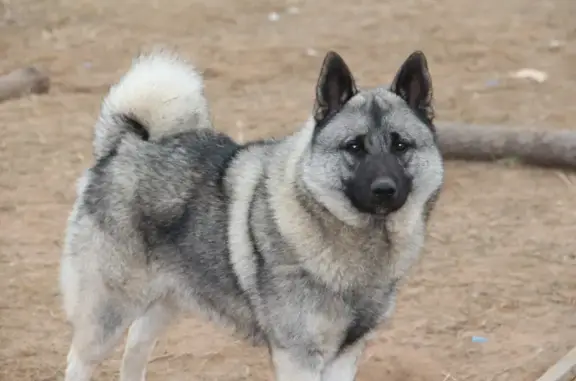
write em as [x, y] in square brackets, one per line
[335, 86]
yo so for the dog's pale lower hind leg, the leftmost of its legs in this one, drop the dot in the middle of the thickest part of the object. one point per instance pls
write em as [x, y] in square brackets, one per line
[96, 333]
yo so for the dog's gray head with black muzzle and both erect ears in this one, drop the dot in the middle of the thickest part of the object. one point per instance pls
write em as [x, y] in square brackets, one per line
[372, 151]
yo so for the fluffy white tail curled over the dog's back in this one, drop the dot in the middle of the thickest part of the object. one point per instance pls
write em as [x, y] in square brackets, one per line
[159, 95]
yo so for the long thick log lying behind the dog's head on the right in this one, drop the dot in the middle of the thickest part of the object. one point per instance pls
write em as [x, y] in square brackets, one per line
[541, 147]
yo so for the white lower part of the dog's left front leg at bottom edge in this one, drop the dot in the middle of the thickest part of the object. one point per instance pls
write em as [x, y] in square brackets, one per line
[293, 364]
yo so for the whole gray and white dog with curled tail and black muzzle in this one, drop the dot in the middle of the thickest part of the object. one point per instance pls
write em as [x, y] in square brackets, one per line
[297, 243]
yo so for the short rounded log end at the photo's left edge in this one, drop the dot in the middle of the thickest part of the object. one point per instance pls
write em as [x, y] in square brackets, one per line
[22, 82]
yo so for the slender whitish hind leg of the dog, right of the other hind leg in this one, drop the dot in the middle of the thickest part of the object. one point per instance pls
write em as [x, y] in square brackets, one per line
[142, 338]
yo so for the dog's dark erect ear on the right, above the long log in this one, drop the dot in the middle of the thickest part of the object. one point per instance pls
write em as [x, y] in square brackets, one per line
[414, 84]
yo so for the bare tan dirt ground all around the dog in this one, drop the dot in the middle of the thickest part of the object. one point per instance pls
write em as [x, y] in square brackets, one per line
[500, 260]
